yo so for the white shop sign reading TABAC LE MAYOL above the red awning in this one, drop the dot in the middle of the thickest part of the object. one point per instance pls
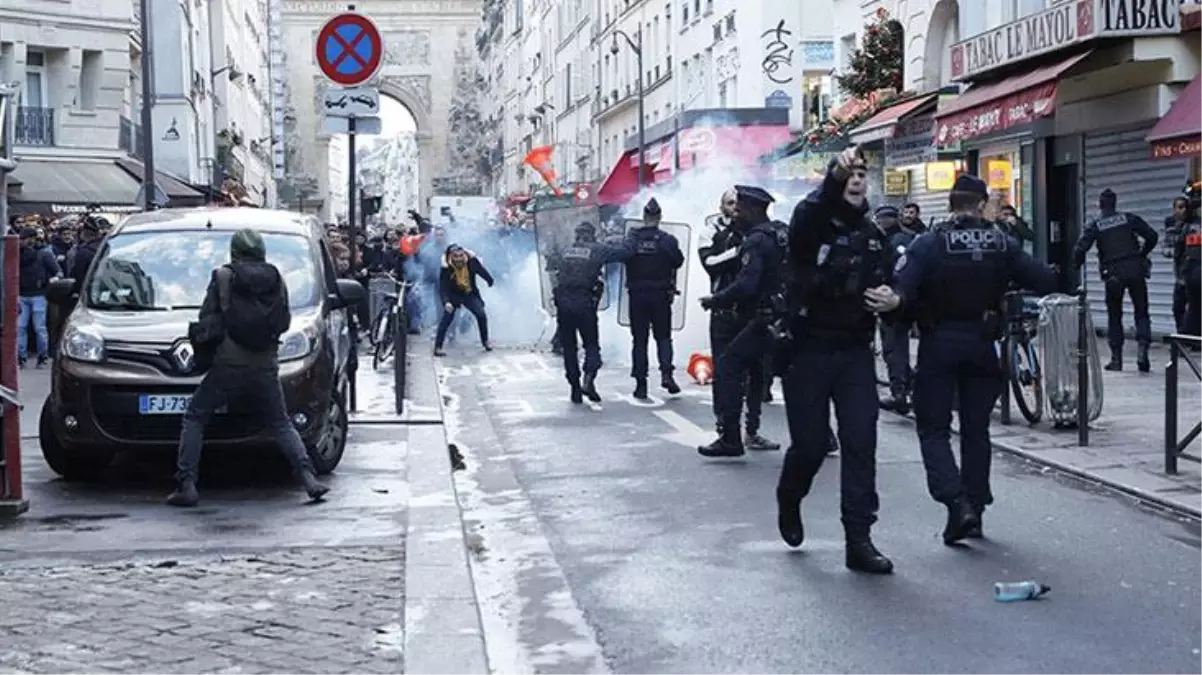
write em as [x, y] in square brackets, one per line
[1062, 26]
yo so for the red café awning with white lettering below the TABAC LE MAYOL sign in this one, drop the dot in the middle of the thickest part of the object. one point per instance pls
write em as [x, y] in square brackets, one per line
[1004, 105]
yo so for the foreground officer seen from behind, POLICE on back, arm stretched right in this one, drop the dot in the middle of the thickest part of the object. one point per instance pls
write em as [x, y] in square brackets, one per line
[955, 283]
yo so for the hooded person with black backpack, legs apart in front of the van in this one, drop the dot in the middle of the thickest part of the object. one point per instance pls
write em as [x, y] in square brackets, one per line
[245, 313]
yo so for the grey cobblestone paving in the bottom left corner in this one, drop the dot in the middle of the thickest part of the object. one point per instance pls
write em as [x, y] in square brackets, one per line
[308, 611]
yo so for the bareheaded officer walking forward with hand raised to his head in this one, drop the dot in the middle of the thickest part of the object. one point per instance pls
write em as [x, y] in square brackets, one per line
[840, 265]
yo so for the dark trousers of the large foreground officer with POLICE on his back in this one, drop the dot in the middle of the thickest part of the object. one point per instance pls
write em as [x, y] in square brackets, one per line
[956, 361]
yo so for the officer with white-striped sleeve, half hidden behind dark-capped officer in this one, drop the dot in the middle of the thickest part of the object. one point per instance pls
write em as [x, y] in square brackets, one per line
[721, 259]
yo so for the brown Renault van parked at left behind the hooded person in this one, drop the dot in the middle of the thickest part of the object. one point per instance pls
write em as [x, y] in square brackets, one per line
[124, 371]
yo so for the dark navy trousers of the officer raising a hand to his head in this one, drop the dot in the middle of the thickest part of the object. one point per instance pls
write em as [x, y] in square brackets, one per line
[822, 375]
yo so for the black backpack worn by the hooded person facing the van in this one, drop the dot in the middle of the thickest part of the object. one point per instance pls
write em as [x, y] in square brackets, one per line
[257, 313]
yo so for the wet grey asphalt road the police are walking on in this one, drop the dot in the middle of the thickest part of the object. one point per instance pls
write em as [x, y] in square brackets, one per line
[605, 545]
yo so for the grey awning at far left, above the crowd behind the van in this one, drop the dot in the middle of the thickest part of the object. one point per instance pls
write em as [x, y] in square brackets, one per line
[55, 188]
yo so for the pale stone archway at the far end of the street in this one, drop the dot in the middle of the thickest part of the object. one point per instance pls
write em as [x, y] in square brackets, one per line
[420, 39]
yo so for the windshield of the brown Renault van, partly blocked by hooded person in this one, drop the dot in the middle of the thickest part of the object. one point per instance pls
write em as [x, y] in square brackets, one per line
[170, 270]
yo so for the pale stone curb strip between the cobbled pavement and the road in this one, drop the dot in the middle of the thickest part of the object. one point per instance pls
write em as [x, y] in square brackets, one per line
[444, 632]
